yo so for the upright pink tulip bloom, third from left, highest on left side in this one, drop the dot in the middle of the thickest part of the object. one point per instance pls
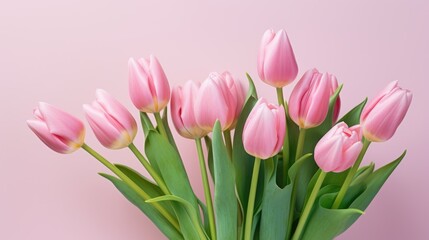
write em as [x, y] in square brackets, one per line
[148, 85]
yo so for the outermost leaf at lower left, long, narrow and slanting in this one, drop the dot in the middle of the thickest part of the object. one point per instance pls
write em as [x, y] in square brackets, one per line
[164, 225]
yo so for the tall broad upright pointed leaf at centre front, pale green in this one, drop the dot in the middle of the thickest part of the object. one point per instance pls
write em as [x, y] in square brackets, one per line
[225, 202]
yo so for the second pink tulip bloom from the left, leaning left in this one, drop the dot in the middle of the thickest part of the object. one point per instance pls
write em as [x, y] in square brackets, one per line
[111, 122]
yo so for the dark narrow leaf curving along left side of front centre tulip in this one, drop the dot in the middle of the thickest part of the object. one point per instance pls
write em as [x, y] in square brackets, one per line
[243, 162]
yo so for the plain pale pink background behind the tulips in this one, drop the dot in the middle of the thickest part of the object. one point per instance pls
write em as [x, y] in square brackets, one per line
[60, 52]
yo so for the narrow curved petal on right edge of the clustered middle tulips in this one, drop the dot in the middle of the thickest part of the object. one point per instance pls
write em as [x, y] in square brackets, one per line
[238, 91]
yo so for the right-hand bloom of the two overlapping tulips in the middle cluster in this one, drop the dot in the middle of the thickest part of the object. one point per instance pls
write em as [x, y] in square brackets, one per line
[215, 102]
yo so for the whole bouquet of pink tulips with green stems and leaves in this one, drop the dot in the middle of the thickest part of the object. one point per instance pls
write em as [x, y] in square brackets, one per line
[286, 171]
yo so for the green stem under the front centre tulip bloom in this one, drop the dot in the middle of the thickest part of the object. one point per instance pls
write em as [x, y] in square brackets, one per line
[251, 203]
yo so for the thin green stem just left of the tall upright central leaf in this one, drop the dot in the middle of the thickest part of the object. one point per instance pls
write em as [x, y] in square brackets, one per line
[207, 192]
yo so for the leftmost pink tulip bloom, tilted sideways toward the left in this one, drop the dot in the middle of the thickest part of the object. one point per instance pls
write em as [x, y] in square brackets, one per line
[59, 130]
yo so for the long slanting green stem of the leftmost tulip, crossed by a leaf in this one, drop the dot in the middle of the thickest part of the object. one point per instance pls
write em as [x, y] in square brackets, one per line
[131, 184]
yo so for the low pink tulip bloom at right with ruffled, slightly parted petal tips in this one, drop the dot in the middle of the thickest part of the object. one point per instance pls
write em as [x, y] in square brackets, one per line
[339, 148]
